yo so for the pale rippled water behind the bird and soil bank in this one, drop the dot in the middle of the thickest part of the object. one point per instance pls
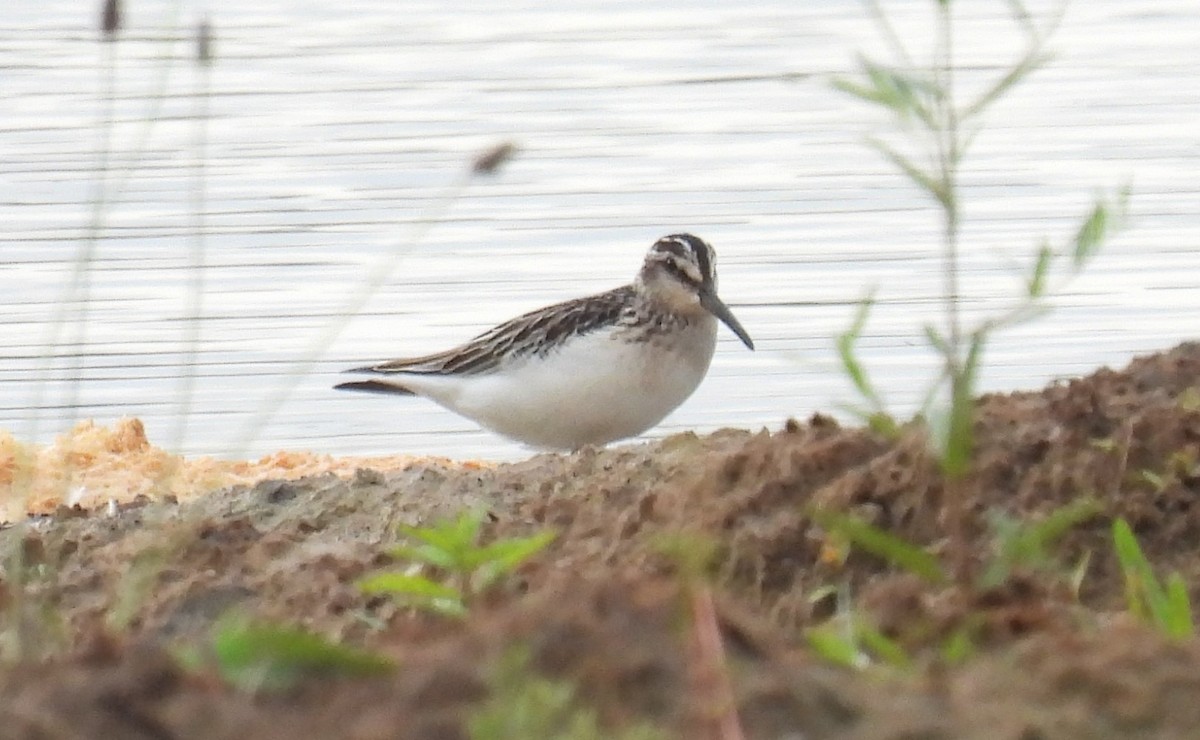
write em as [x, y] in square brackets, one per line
[338, 131]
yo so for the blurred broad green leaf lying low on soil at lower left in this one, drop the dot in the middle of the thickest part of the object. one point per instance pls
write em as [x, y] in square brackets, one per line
[273, 658]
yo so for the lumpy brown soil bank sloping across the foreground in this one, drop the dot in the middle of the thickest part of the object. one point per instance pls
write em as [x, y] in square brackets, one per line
[110, 595]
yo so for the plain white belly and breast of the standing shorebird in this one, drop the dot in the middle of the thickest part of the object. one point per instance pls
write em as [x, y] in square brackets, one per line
[591, 392]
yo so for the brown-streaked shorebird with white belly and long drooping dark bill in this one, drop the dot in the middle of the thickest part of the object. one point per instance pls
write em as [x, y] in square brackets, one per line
[584, 372]
